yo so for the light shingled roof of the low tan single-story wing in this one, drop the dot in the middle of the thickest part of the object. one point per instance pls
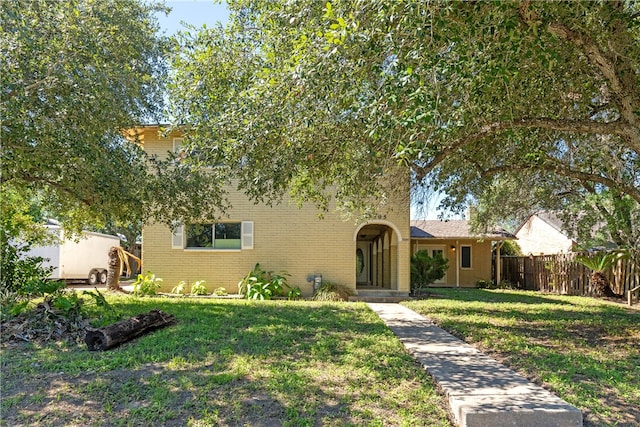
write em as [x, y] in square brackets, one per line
[454, 229]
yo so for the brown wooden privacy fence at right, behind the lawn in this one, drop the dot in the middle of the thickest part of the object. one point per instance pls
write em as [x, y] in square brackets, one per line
[562, 274]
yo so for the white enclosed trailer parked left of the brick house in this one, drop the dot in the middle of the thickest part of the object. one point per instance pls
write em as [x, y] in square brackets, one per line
[85, 259]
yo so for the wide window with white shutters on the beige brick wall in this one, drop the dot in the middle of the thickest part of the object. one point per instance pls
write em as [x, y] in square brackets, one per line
[220, 235]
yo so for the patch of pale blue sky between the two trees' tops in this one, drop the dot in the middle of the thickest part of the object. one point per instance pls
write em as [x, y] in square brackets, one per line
[194, 12]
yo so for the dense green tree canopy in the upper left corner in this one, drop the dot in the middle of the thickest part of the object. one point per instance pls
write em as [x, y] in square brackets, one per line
[75, 74]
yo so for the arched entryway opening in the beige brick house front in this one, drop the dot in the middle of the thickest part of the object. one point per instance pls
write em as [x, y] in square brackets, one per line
[376, 257]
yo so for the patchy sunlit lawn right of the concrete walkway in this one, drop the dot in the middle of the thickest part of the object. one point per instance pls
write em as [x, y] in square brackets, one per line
[585, 350]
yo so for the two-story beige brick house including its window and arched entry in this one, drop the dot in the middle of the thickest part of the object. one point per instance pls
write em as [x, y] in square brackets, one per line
[373, 255]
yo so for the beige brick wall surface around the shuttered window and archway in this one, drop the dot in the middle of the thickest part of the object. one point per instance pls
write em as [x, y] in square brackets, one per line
[285, 238]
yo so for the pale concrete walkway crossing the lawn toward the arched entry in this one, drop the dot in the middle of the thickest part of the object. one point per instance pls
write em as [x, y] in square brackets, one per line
[481, 392]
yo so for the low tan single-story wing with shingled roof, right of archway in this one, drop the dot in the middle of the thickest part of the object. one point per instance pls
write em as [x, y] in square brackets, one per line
[469, 254]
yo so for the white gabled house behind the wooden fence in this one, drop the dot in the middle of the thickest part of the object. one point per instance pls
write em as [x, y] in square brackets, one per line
[543, 234]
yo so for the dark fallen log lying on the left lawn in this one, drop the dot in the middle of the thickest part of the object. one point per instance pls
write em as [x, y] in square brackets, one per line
[126, 330]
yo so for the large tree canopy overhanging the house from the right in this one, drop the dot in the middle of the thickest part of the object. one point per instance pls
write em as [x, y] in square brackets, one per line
[511, 106]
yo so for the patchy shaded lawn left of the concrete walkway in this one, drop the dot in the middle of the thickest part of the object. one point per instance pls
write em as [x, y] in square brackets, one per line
[227, 362]
